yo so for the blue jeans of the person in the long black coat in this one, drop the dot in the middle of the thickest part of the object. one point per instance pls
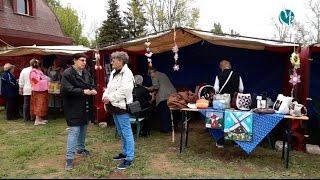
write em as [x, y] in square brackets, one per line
[76, 137]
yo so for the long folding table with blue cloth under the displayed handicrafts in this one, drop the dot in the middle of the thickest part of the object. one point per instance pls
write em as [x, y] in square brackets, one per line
[263, 124]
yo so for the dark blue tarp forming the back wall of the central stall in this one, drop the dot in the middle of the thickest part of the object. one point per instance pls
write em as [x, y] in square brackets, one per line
[260, 70]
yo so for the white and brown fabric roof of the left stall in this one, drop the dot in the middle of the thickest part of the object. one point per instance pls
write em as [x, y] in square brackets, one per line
[43, 50]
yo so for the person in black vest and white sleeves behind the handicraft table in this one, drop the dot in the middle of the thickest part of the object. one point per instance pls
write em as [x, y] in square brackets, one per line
[228, 82]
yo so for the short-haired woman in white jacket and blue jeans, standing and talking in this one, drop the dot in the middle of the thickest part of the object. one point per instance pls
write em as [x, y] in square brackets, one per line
[115, 98]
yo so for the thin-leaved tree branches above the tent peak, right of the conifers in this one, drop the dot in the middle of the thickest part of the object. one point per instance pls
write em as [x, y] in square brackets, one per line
[164, 14]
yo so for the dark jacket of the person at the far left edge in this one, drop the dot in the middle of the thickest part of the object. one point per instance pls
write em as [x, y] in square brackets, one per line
[9, 85]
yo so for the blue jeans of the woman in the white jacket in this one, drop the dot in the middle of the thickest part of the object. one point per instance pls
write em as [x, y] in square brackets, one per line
[123, 125]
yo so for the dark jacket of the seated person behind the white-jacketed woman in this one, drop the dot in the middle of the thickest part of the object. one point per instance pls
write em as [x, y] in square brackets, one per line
[141, 94]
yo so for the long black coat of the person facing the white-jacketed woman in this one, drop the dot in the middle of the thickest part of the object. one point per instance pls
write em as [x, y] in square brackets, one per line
[74, 100]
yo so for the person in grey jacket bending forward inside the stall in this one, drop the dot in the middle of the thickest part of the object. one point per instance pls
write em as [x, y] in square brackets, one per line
[164, 88]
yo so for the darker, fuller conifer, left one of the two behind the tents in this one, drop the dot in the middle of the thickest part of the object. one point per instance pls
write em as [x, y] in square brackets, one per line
[112, 29]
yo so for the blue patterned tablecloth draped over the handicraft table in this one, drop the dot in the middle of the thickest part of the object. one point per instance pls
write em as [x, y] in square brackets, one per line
[262, 126]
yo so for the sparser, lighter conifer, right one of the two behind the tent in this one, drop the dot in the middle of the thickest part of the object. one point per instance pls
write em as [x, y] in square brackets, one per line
[135, 20]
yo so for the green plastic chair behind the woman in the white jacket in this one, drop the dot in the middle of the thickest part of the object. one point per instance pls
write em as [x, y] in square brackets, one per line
[135, 119]
